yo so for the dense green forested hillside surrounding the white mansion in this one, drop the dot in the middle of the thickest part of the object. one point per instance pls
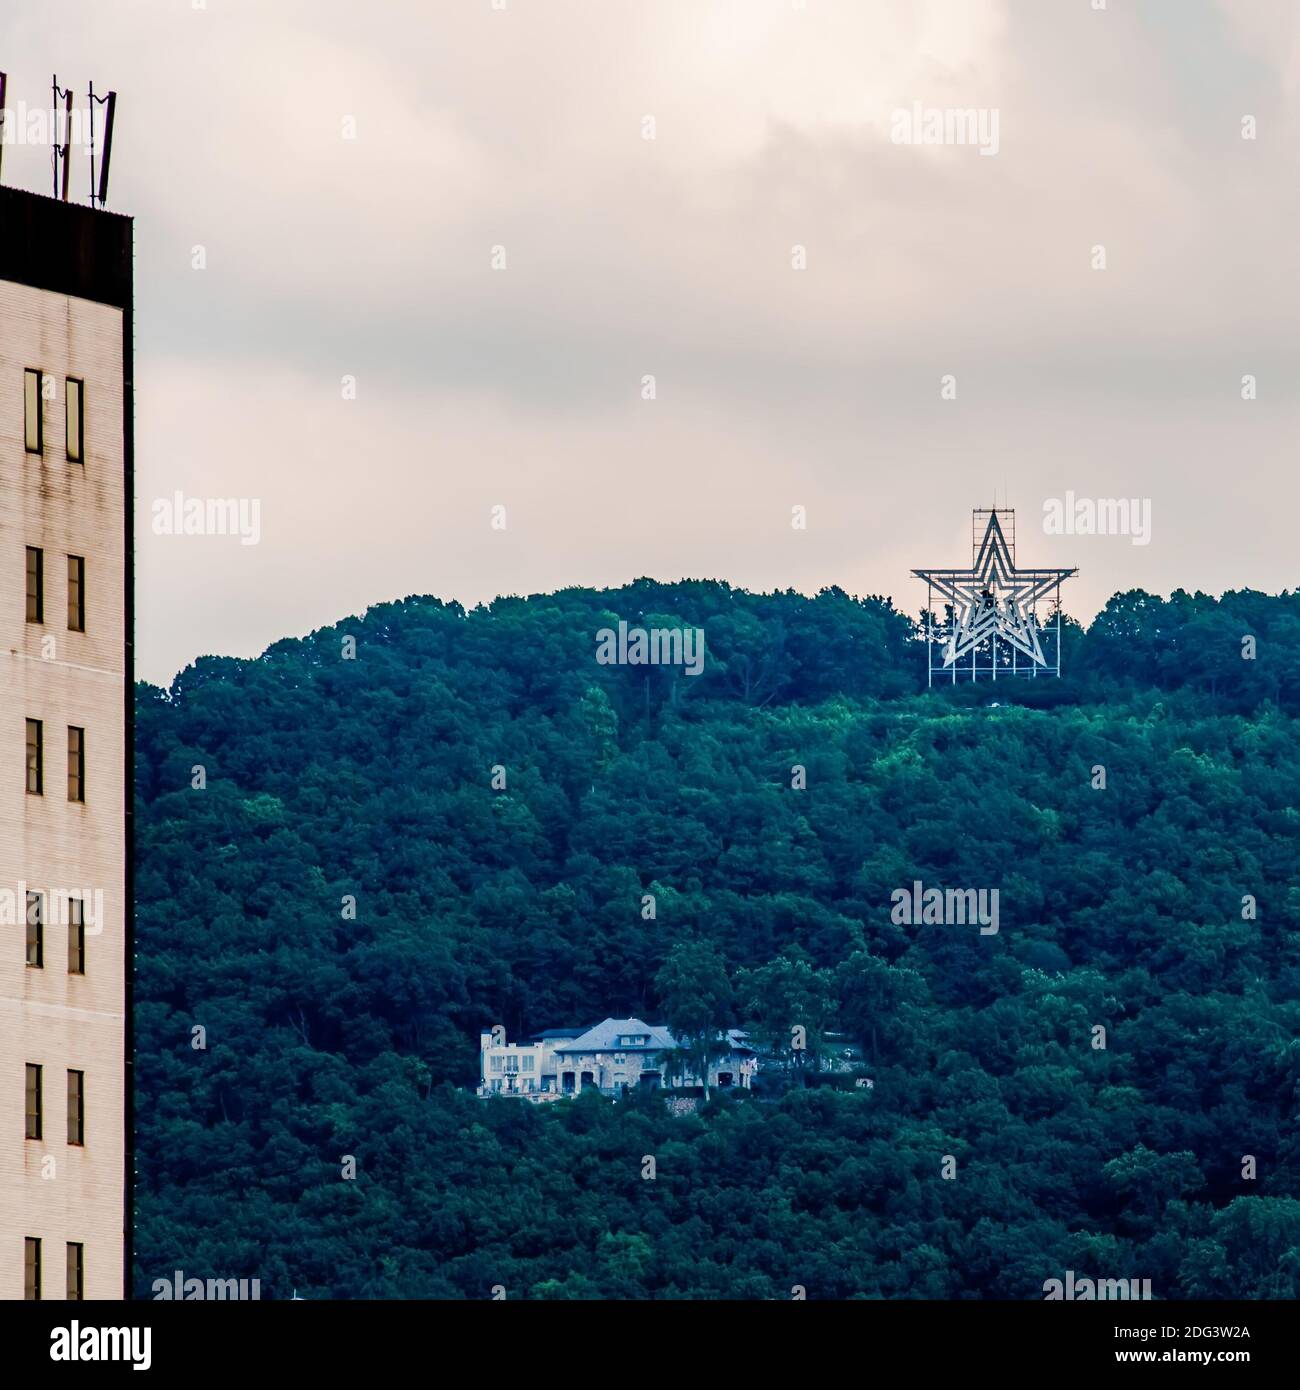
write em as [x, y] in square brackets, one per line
[1162, 907]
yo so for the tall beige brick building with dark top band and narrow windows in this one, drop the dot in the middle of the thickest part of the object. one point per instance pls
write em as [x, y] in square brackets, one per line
[66, 689]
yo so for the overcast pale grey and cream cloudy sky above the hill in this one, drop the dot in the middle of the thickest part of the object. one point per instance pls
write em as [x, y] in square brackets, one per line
[525, 129]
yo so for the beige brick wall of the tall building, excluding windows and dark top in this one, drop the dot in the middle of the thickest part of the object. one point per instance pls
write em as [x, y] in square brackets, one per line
[49, 843]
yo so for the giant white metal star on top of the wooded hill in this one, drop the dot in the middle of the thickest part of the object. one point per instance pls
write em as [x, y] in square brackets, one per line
[993, 598]
